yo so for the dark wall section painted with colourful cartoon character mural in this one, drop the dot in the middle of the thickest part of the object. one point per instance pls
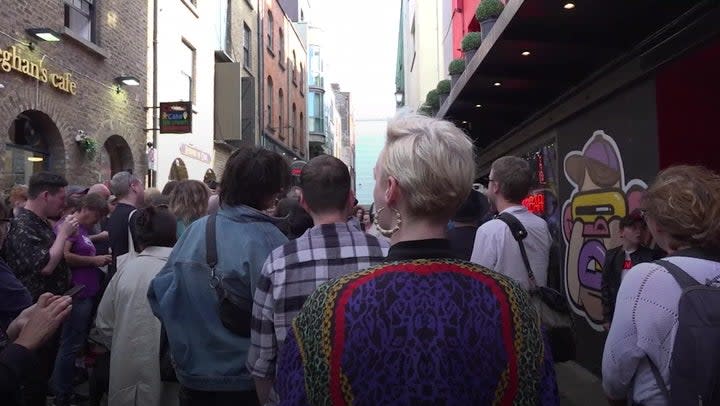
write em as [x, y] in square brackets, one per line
[606, 156]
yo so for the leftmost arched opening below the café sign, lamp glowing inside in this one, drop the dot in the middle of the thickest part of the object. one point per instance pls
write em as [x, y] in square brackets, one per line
[35, 144]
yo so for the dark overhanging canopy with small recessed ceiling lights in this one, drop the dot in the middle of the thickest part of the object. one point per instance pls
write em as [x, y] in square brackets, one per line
[502, 88]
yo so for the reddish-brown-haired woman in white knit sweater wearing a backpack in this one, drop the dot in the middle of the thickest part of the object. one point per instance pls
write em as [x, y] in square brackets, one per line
[682, 211]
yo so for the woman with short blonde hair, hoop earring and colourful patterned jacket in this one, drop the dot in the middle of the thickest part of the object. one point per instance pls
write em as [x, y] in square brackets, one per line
[425, 327]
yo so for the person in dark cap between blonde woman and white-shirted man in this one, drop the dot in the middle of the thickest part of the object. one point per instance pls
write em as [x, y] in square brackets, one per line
[466, 222]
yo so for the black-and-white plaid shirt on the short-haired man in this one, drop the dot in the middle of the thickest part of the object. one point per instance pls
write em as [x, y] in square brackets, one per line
[292, 273]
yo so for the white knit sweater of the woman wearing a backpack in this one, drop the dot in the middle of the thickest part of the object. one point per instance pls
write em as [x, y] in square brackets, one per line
[645, 323]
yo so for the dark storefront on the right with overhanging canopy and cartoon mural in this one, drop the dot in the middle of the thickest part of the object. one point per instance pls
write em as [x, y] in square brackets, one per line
[598, 98]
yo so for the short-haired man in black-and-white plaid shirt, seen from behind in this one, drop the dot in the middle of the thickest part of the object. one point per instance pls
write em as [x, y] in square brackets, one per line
[330, 249]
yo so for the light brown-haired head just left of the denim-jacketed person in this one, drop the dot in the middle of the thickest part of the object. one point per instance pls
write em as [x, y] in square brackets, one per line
[188, 202]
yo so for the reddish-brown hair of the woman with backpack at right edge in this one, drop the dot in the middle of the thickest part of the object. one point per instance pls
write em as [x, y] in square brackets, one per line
[685, 201]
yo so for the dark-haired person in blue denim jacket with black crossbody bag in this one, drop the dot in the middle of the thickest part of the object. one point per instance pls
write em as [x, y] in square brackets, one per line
[210, 359]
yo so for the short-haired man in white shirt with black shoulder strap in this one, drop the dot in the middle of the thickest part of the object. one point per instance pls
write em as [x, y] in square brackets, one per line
[495, 248]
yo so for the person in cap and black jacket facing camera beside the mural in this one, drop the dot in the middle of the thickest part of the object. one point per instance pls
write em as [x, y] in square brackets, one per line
[620, 259]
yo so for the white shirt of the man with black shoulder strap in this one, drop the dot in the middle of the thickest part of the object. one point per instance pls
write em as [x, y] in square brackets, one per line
[496, 249]
